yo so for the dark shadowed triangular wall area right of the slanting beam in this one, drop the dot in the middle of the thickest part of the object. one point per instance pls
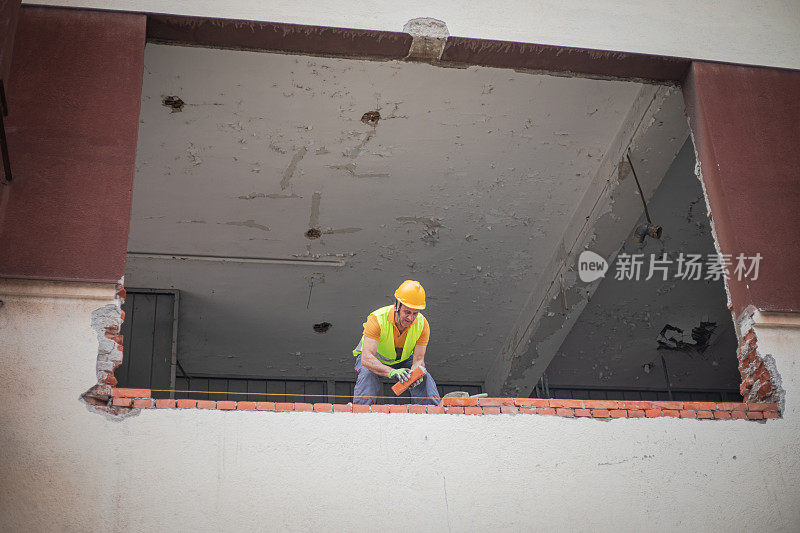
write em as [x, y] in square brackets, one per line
[629, 324]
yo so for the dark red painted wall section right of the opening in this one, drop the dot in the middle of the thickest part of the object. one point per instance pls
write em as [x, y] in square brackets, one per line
[746, 127]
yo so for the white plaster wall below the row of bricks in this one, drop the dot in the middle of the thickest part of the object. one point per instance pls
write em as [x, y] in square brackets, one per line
[65, 468]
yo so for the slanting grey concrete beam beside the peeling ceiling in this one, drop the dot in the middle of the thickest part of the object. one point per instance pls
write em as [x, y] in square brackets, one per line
[655, 130]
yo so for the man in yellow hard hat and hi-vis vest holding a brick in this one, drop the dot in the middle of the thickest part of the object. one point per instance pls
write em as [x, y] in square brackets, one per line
[393, 344]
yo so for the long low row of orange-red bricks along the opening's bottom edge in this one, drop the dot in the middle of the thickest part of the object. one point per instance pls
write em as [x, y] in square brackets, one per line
[598, 409]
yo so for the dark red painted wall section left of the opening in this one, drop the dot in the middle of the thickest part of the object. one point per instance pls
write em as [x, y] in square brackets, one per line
[74, 91]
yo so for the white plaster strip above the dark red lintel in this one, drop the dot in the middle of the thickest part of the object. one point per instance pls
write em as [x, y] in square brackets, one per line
[757, 32]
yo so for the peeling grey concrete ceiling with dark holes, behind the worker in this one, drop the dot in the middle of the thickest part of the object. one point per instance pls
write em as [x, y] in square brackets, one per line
[466, 183]
